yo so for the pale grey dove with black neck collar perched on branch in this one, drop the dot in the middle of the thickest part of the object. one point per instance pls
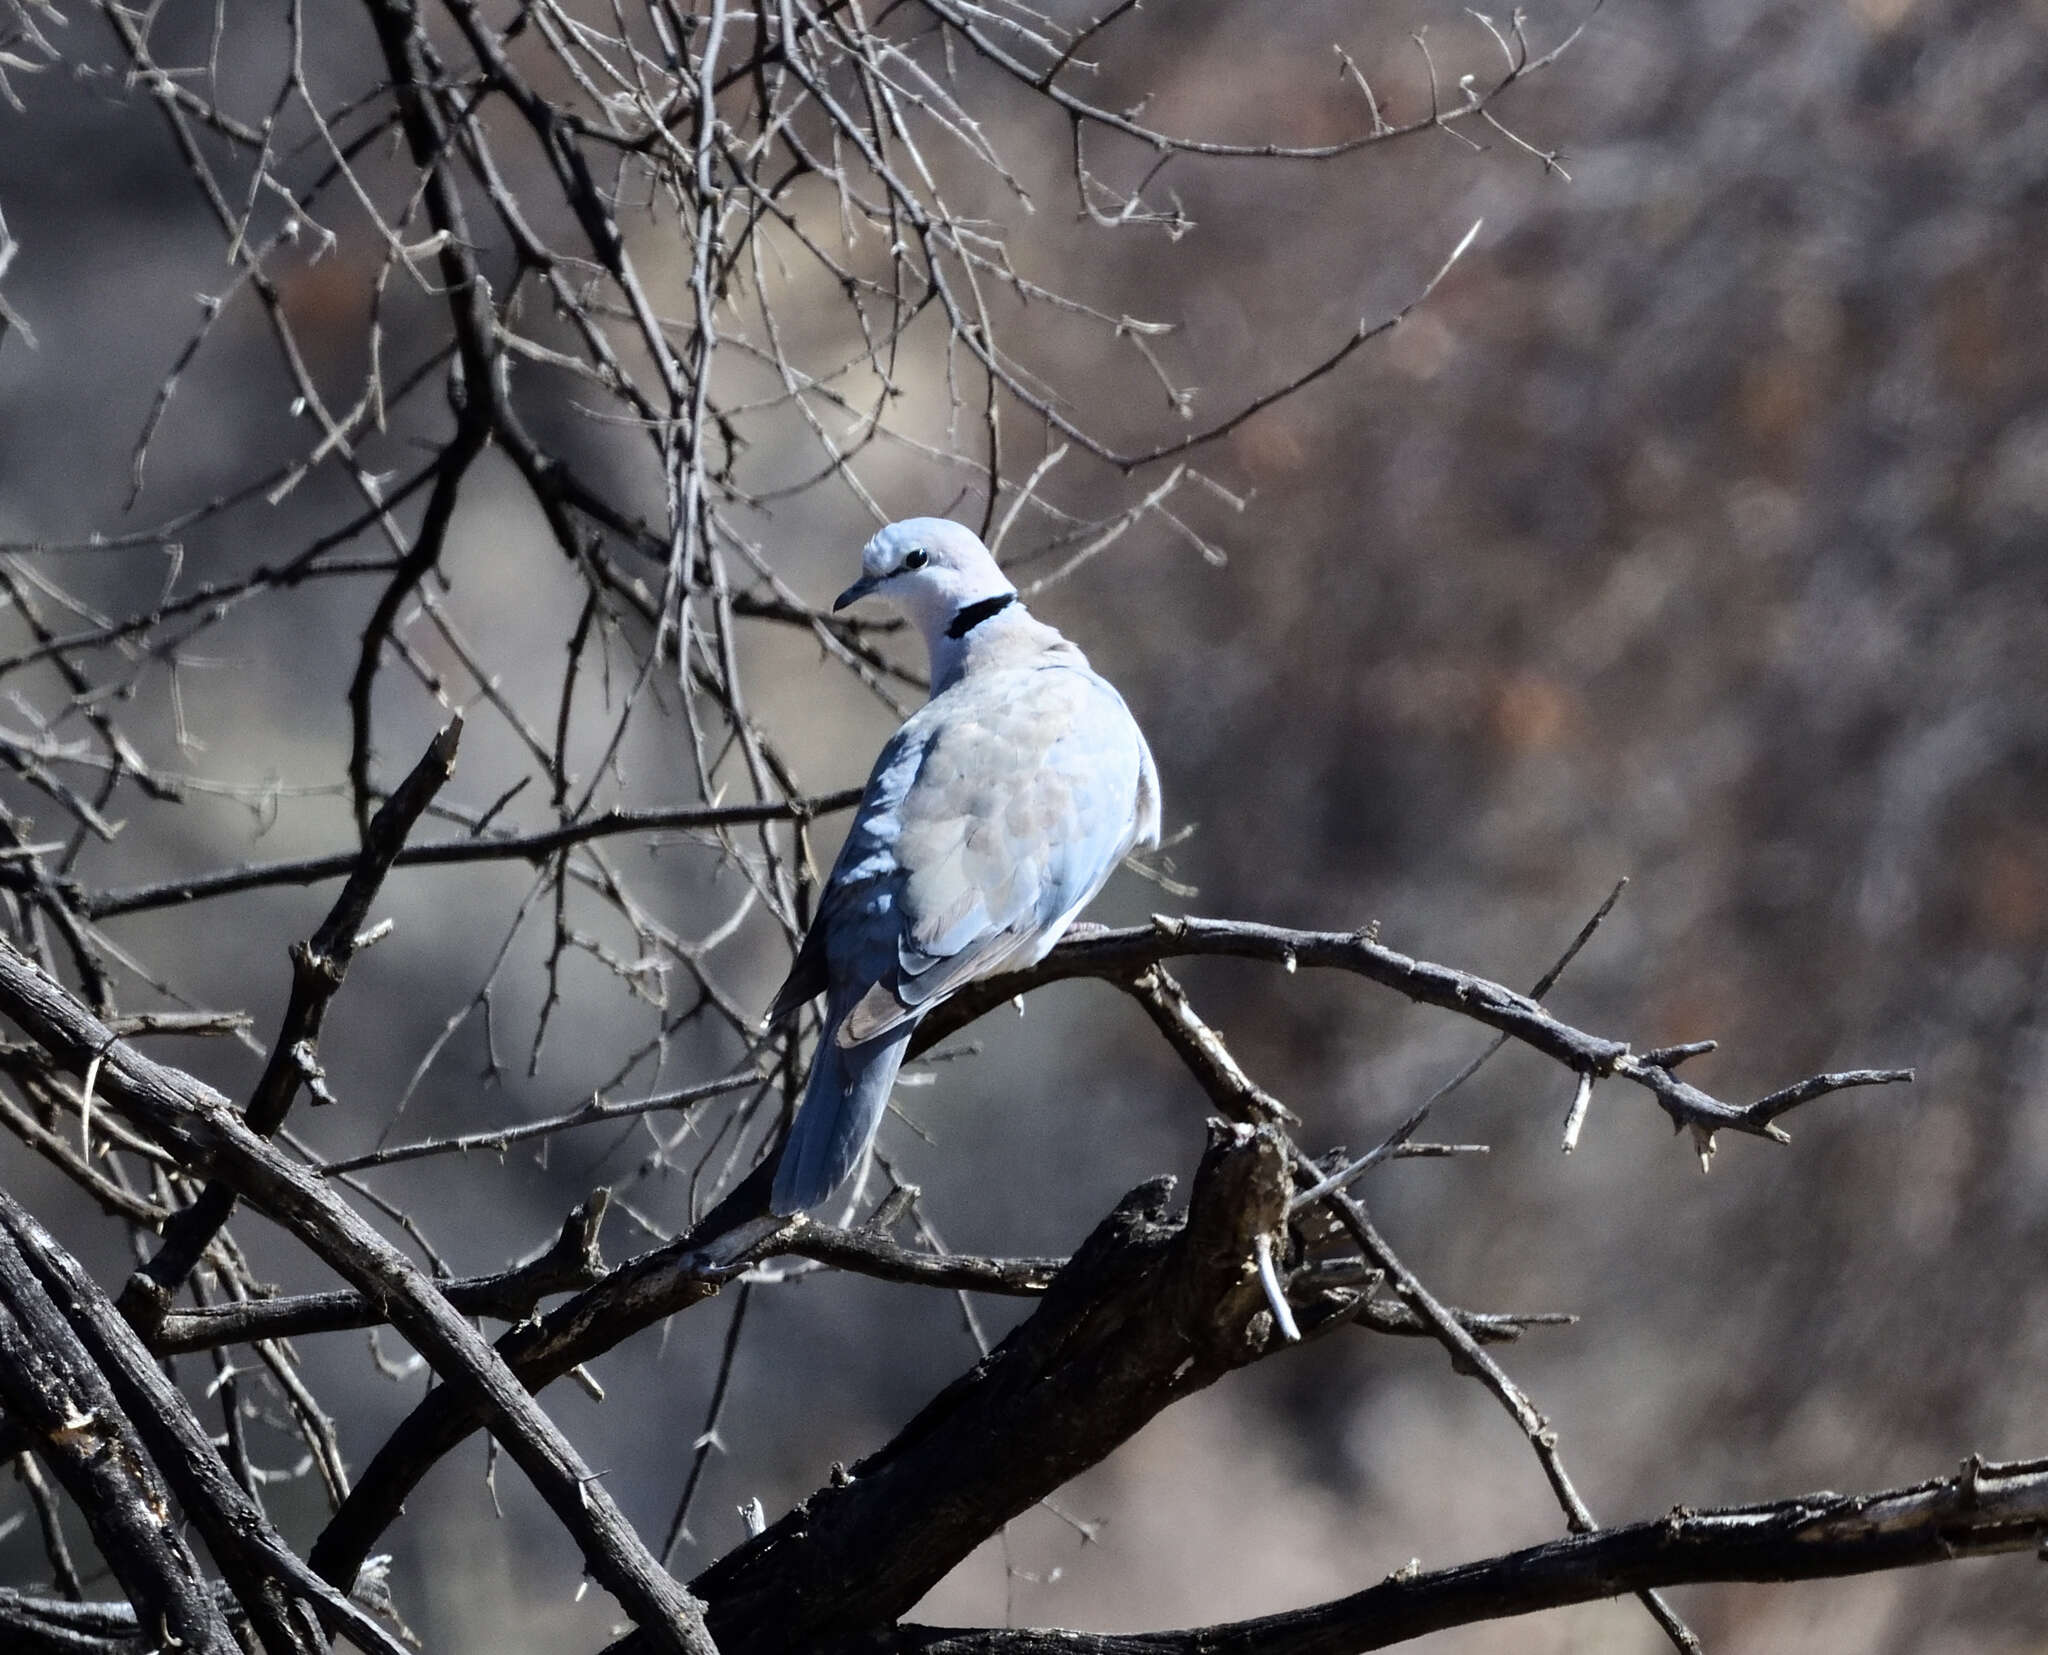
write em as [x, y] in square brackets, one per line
[990, 822]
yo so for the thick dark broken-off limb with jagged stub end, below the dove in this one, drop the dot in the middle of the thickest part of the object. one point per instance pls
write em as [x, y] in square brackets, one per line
[1148, 1312]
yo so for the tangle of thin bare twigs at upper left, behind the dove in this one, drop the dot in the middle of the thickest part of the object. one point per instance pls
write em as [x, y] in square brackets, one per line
[802, 165]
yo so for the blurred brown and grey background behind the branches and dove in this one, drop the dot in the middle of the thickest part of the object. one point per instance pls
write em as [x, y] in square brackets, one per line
[1693, 532]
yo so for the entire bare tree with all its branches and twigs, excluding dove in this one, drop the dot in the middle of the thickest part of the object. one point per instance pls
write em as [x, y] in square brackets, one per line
[816, 179]
